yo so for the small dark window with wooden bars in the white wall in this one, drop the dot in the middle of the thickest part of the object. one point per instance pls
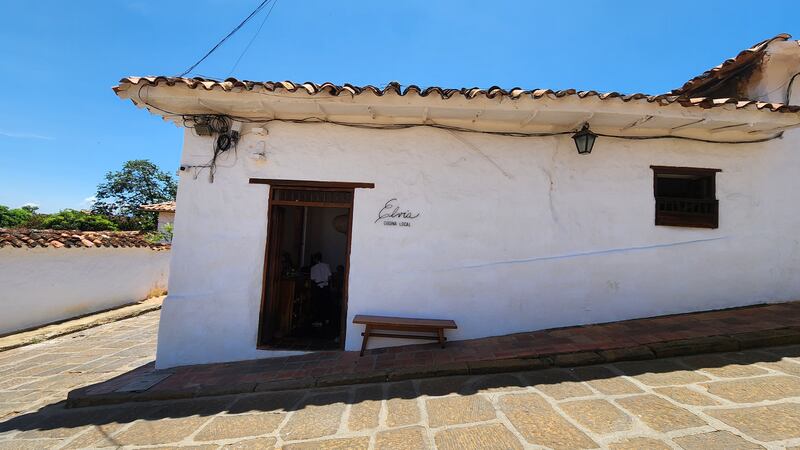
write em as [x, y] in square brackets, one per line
[686, 197]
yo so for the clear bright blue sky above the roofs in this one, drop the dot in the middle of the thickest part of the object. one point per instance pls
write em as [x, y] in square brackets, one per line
[62, 128]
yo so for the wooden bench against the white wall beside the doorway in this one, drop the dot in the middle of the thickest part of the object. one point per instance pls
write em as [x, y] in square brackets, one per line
[434, 326]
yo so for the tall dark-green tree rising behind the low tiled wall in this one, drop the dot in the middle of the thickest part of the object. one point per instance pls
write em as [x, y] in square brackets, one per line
[139, 182]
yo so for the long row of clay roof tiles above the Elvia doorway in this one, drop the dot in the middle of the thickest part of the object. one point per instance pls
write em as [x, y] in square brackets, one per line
[327, 88]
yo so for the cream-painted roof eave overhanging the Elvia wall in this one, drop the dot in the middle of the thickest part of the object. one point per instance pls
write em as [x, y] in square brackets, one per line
[528, 111]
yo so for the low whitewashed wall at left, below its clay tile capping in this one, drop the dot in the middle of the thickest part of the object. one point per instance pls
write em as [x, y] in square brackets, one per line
[44, 285]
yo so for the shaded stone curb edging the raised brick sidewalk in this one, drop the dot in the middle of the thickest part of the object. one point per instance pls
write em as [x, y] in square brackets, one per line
[680, 347]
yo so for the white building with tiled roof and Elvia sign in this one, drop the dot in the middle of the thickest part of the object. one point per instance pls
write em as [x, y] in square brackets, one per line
[474, 205]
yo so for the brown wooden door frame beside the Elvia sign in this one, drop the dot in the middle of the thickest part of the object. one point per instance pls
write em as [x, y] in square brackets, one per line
[312, 185]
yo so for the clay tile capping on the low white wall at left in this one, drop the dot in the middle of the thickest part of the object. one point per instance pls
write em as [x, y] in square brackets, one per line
[21, 238]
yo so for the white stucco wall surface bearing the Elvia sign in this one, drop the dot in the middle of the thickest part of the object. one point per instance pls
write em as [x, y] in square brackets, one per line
[514, 234]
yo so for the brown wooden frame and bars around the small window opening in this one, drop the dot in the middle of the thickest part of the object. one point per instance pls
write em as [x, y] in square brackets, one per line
[676, 211]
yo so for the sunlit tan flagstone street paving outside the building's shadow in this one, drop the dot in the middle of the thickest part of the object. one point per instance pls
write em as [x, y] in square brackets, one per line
[739, 400]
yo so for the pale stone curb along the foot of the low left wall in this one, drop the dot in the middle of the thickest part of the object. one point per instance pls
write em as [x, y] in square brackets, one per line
[69, 326]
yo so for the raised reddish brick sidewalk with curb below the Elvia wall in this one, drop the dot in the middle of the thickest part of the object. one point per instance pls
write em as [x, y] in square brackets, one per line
[656, 337]
